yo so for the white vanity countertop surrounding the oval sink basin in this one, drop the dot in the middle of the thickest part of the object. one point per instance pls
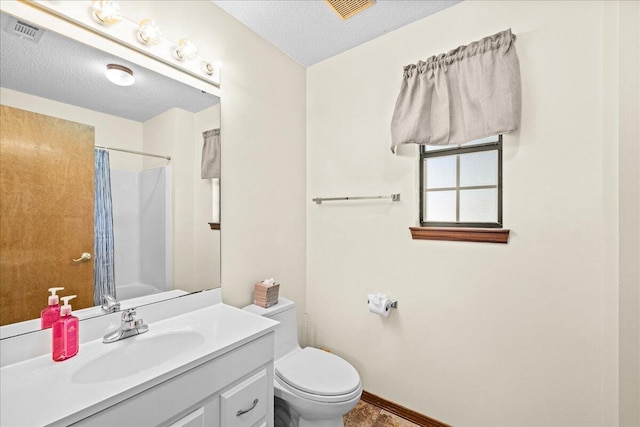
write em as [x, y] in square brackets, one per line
[39, 391]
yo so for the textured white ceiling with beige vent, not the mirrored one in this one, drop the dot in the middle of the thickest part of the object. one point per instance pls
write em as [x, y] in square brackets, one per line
[309, 31]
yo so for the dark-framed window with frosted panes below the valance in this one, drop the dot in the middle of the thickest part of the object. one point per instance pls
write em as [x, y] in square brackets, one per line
[461, 186]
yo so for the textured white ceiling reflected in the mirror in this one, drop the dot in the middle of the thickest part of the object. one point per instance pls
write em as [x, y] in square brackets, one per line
[67, 71]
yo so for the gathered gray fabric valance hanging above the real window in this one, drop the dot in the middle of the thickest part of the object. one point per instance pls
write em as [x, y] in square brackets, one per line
[468, 93]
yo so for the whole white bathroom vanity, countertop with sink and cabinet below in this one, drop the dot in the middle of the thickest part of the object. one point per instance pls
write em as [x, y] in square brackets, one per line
[212, 366]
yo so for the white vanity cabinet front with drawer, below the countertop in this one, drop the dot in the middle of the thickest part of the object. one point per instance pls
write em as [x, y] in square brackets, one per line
[219, 392]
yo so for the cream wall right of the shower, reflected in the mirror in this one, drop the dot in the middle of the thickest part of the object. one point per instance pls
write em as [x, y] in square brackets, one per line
[195, 247]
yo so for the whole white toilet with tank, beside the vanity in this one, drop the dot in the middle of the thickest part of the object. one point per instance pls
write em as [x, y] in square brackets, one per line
[313, 388]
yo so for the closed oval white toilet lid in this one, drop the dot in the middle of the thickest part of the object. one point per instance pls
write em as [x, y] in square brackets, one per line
[318, 372]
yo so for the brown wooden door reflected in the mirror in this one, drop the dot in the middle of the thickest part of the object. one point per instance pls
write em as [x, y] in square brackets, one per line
[46, 212]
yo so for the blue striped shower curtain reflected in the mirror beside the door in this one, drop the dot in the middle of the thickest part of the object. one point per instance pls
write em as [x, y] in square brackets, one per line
[103, 276]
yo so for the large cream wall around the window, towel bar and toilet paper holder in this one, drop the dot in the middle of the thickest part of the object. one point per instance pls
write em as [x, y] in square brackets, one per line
[485, 334]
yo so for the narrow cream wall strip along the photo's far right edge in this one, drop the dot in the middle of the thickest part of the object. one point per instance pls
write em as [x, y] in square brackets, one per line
[629, 186]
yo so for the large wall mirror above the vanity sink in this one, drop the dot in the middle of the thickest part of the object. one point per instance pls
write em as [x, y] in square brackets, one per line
[164, 243]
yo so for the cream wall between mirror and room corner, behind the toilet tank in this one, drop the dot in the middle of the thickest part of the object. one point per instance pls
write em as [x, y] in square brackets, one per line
[263, 148]
